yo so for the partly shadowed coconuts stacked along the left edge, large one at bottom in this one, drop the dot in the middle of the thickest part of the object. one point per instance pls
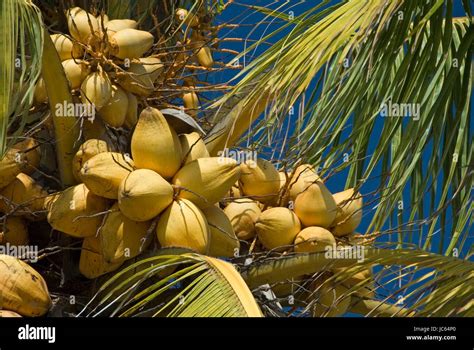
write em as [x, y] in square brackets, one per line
[23, 291]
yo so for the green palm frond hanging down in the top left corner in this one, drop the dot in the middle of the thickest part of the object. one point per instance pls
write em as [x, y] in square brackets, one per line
[21, 43]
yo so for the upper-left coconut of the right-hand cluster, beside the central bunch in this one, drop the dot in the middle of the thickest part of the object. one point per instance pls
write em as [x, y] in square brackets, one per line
[260, 180]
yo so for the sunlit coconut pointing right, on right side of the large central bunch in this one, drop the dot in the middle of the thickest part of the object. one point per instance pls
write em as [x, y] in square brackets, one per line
[205, 181]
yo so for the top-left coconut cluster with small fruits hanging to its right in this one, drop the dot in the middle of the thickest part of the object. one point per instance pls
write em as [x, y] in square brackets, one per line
[104, 65]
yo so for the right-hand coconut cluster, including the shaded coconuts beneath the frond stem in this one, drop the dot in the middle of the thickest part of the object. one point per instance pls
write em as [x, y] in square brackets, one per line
[296, 212]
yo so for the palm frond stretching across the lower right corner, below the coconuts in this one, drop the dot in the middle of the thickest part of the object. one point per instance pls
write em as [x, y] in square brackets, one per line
[433, 285]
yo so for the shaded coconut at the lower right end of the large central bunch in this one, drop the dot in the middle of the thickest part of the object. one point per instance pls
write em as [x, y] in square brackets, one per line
[223, 241]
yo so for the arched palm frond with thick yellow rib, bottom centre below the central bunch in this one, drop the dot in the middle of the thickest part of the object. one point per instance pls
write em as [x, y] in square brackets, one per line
[175, 285]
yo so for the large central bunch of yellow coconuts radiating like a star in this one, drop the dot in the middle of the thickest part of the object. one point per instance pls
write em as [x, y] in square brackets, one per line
[168, 188]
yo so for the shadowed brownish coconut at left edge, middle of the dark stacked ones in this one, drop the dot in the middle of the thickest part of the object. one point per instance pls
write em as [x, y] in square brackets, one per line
[23, 197]
